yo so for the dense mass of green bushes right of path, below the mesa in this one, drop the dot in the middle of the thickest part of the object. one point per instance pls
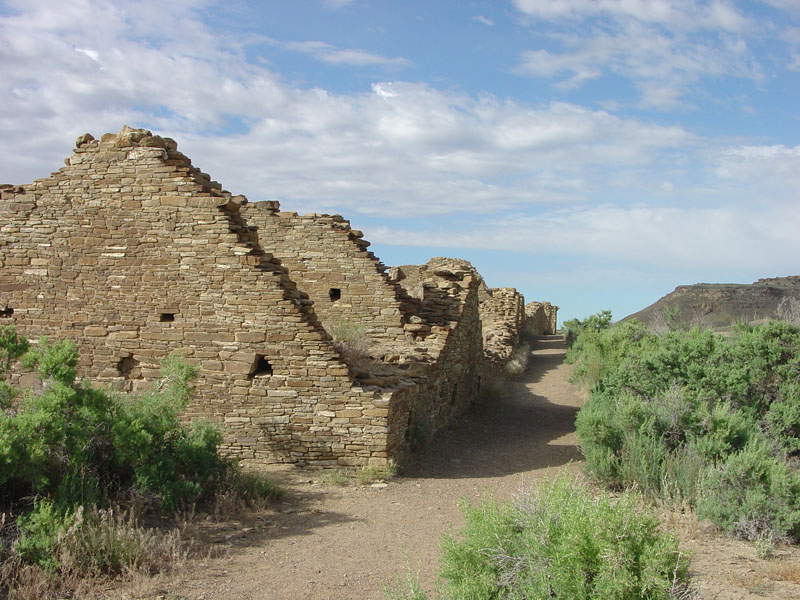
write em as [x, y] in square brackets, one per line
[698, 417]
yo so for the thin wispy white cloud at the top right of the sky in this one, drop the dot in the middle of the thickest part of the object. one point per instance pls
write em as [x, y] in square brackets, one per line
[664, 47]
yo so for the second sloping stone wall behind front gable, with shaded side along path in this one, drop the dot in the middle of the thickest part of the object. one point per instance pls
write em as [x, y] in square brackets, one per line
[433, 341]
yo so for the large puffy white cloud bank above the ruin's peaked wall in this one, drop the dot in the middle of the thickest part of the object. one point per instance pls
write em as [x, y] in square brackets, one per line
[400, 147]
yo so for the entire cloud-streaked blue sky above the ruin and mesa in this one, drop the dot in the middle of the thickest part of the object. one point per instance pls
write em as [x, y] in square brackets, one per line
[594, 153]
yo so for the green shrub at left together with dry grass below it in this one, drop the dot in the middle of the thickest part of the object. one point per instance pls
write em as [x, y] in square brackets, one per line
[71, 454]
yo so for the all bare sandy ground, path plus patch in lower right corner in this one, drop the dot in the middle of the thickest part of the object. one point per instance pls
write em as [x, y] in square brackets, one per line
[339, 542]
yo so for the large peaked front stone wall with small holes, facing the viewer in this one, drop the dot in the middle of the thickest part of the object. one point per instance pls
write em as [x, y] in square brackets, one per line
[133, 253]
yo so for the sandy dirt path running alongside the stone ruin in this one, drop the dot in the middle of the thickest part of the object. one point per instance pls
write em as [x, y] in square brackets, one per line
[329, 542]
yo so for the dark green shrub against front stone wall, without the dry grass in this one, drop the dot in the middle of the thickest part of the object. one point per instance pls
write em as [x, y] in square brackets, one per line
[76, 444]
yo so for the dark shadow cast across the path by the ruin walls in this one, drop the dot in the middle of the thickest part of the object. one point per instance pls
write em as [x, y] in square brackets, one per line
[517, 432]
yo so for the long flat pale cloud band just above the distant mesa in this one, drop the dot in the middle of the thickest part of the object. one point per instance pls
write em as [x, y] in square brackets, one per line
[641, 236]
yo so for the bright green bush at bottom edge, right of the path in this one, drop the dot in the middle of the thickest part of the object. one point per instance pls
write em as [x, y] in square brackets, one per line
[561, 542]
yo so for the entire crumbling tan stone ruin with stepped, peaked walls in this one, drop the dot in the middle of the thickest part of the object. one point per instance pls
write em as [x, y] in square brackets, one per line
[309, 349]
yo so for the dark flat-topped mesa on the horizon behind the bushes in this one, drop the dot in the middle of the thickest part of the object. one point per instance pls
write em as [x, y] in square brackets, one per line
[720, 305]
